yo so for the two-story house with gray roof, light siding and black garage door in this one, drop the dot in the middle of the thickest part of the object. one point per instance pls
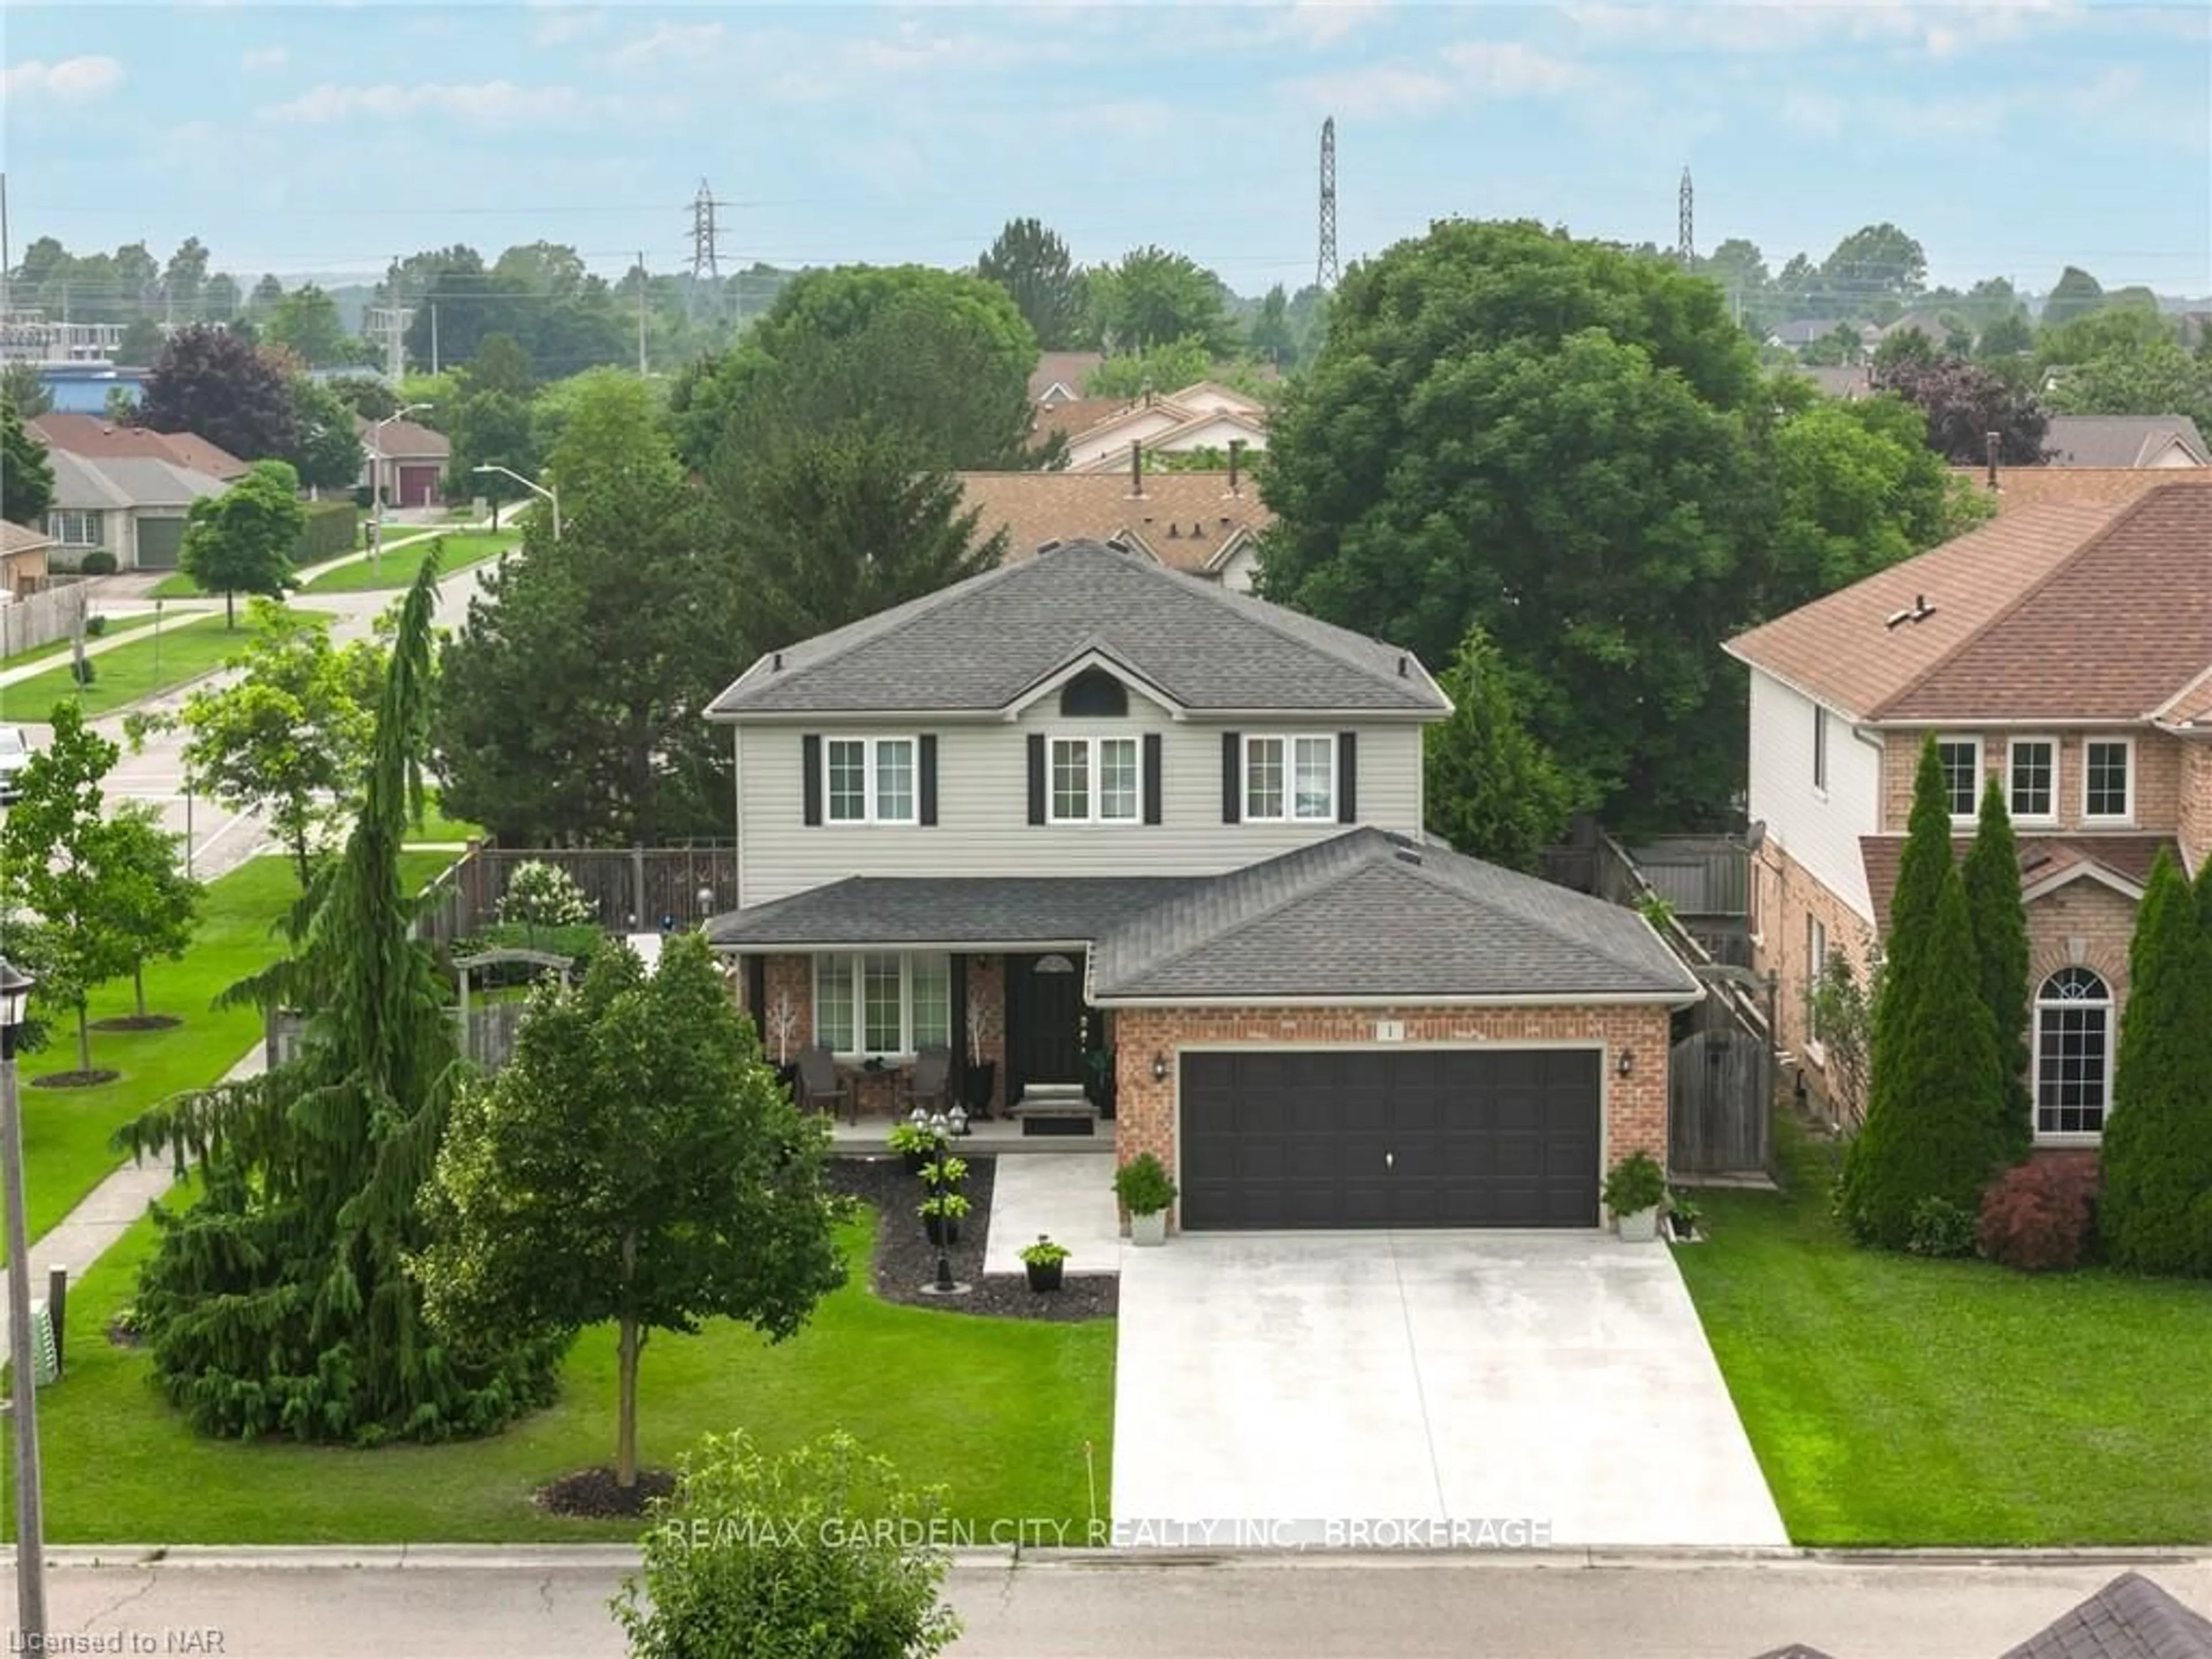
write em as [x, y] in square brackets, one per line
[1094, 806]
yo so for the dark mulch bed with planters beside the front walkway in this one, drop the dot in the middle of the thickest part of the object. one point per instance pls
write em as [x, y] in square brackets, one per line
[906, 1262]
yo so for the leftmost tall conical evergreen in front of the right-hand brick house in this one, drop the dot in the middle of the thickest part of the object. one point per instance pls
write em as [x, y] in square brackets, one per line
[1937, 1094]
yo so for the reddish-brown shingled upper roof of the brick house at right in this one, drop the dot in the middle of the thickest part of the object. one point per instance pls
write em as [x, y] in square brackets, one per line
[2049, 612]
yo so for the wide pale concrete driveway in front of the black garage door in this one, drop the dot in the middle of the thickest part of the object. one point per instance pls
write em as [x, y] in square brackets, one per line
[1448, 1388]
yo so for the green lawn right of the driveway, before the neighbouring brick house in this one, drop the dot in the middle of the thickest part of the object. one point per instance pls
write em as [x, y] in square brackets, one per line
[1897, 1401]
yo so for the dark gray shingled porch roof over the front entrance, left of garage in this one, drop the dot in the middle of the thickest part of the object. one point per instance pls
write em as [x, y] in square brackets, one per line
[946, 910]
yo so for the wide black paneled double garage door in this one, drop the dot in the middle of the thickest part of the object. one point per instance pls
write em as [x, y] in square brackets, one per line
[1408, 1138]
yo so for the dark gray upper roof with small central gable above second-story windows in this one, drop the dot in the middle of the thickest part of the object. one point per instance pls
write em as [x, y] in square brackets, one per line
[983, 643]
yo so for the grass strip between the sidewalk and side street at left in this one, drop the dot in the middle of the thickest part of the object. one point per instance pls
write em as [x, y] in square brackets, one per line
[67, 1129]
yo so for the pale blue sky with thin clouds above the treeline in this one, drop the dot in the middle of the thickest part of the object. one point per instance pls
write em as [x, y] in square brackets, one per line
[324, 138]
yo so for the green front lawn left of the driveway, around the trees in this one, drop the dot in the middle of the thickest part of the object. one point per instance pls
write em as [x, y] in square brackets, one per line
[999, 1410]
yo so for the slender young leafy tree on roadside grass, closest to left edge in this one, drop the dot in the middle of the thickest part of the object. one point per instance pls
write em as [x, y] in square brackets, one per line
[54, 851]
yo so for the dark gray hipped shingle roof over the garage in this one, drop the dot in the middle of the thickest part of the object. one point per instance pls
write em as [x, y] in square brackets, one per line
[1373, 915]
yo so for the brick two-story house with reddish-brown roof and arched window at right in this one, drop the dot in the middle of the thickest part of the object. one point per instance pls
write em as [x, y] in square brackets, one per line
[2065, 651]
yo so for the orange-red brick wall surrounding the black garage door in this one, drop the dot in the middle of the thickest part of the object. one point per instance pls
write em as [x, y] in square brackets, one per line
[1634, 1112]
